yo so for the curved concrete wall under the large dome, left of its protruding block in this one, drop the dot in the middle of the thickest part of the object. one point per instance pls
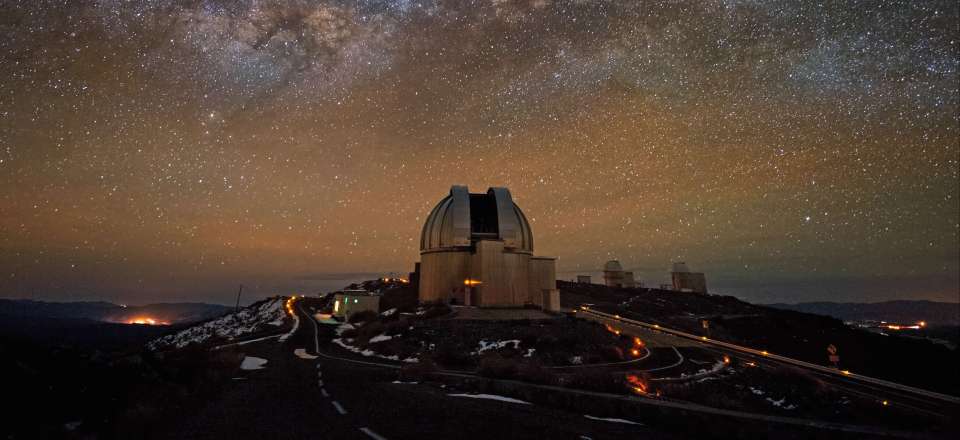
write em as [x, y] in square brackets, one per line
[443, 273]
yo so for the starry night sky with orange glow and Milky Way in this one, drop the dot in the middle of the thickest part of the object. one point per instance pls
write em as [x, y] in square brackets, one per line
[172, 150]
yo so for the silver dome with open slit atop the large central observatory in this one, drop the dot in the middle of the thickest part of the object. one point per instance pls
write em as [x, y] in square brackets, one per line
[462, 218]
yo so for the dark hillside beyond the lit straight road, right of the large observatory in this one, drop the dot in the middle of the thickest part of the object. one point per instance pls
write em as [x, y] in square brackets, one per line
[799, 335]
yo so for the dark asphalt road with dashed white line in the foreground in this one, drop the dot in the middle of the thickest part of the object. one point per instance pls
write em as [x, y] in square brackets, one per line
[331, 399]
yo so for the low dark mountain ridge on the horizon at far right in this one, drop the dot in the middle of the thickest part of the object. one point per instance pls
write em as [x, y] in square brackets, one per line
[903, 311]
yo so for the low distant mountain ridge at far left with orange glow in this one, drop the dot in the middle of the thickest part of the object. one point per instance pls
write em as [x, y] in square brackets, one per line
[173, 313]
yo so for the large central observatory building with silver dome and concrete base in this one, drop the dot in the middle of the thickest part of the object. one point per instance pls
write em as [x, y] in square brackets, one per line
[477, 249]
